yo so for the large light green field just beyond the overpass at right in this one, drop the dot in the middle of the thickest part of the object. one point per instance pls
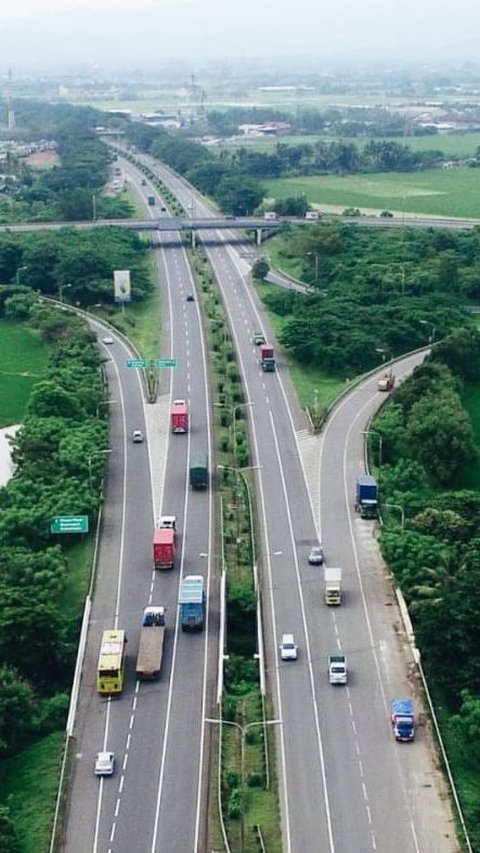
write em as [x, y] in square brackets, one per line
[436, 192]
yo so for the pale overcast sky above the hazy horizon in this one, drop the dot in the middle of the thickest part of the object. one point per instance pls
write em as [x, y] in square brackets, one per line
[52, 32]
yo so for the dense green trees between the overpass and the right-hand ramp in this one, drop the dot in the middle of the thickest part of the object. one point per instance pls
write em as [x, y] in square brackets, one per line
[374, 294]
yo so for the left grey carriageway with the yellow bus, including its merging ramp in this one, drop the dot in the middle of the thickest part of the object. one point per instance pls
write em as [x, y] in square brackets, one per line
[154, 802]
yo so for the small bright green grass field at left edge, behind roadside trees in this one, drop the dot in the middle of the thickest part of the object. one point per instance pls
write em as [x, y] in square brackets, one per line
[23, 361]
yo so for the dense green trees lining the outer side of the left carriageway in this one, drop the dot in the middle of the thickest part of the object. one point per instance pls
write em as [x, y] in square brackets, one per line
[58, 472]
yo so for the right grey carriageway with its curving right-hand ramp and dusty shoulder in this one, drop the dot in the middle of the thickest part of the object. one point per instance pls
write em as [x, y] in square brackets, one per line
[345, 784]
